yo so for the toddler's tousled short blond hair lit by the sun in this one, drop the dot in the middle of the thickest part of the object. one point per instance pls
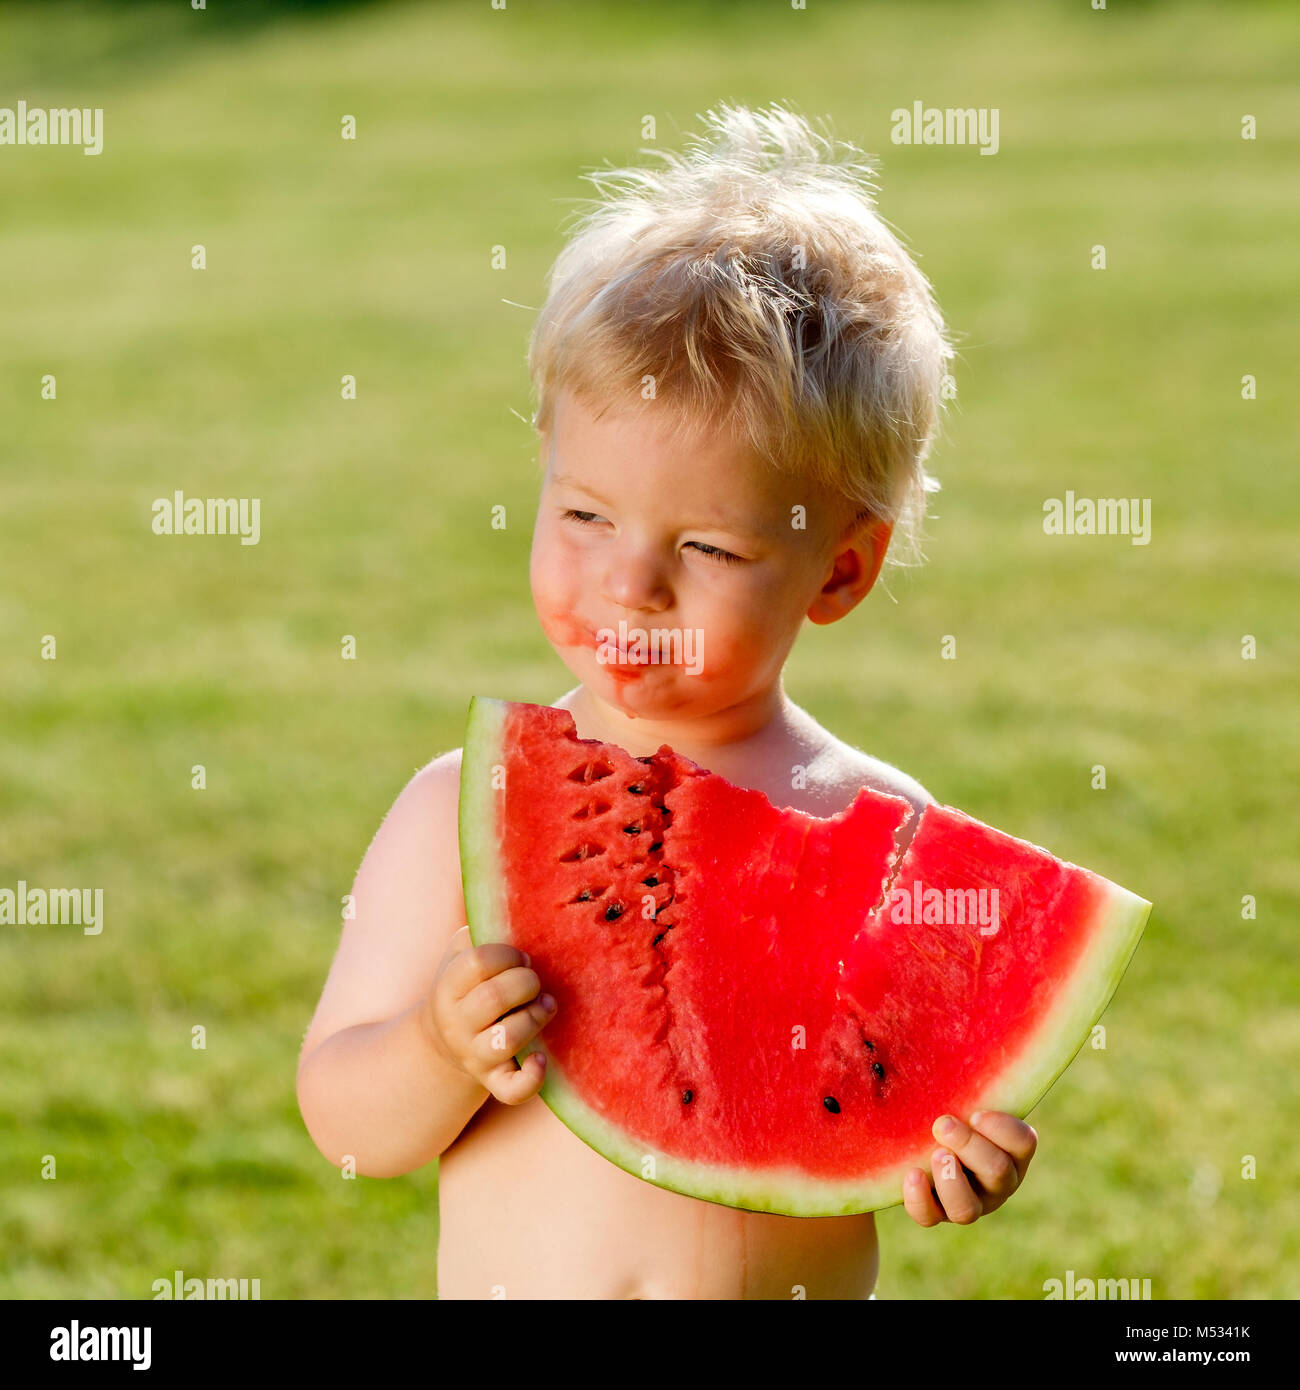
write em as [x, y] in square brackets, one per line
[756, 284]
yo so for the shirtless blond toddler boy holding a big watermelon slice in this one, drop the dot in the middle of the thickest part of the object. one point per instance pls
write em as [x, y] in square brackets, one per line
[739, 370]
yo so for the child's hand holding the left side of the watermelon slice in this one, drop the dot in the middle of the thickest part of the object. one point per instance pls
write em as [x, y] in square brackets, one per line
[480, 1015]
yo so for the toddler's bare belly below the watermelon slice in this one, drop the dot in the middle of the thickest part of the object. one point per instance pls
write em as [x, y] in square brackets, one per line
[529, 1211]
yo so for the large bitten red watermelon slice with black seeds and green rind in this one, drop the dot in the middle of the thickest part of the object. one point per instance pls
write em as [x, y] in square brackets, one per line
[764, 1008]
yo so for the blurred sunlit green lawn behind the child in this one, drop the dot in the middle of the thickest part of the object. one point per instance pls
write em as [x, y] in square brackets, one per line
[375, 258]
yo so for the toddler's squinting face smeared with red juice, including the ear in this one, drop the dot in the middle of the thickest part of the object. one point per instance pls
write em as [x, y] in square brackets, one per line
[629, 529]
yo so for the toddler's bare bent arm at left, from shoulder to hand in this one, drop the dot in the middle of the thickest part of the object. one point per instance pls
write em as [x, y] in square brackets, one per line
[377, 1078]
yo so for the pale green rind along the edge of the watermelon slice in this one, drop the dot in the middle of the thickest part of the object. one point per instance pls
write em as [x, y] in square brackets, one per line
[1116, 931]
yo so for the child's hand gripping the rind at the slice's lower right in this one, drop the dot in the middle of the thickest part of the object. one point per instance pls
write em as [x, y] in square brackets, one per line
[989, 1166]
